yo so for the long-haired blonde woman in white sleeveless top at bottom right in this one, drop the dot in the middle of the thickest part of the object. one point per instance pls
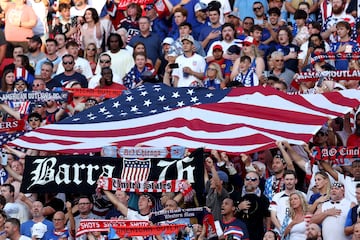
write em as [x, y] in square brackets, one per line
[296, 228]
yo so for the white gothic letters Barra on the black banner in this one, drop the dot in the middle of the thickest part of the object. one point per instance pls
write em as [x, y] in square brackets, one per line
[45, 172]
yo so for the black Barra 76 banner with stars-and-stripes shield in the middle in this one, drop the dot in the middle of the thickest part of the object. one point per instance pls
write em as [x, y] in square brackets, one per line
[79, 173]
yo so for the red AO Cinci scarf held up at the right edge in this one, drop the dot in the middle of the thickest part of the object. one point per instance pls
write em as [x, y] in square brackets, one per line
[337, 155]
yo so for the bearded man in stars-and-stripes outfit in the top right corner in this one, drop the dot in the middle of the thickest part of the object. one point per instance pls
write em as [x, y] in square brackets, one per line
[338, 14]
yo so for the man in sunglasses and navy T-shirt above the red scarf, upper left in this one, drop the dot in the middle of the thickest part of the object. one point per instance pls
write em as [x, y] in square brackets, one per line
[69, 74]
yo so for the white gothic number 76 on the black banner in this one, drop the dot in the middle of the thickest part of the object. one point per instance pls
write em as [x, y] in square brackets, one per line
[180, 169]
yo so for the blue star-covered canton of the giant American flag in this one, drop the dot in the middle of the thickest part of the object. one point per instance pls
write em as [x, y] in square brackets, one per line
[145, 100]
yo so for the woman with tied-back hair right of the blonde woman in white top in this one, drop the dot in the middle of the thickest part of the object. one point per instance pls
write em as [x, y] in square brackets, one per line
[322, 185]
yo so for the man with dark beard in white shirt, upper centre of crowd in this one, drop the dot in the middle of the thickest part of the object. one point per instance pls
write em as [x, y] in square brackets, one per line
[228, 34]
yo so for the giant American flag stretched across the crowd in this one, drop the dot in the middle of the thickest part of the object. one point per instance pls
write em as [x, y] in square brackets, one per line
[237, 120]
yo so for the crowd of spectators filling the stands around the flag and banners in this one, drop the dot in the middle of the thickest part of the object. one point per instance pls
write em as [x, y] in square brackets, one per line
[273, 194]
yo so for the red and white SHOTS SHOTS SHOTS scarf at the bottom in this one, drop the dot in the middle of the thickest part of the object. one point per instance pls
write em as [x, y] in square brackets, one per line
[92, 225]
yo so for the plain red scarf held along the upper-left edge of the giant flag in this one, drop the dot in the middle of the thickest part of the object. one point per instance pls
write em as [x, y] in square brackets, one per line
[87, 92]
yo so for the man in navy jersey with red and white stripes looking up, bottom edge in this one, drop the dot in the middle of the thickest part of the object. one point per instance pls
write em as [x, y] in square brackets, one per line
[232, 227]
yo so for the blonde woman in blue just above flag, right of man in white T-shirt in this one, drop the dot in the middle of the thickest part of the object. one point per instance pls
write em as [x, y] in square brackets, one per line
[213, 78]
